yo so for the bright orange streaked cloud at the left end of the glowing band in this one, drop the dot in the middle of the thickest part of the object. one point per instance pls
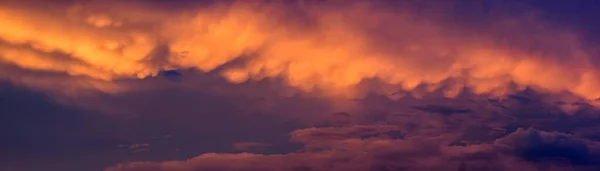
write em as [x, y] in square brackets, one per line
[112, 52]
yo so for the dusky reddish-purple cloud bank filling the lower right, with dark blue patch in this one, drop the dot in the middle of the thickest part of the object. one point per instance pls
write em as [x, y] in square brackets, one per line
[526, 137]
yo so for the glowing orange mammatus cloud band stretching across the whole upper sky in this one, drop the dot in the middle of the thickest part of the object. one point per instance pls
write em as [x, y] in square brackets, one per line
[331, 46]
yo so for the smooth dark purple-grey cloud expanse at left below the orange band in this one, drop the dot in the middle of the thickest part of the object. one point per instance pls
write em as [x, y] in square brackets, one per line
[180, 124]
